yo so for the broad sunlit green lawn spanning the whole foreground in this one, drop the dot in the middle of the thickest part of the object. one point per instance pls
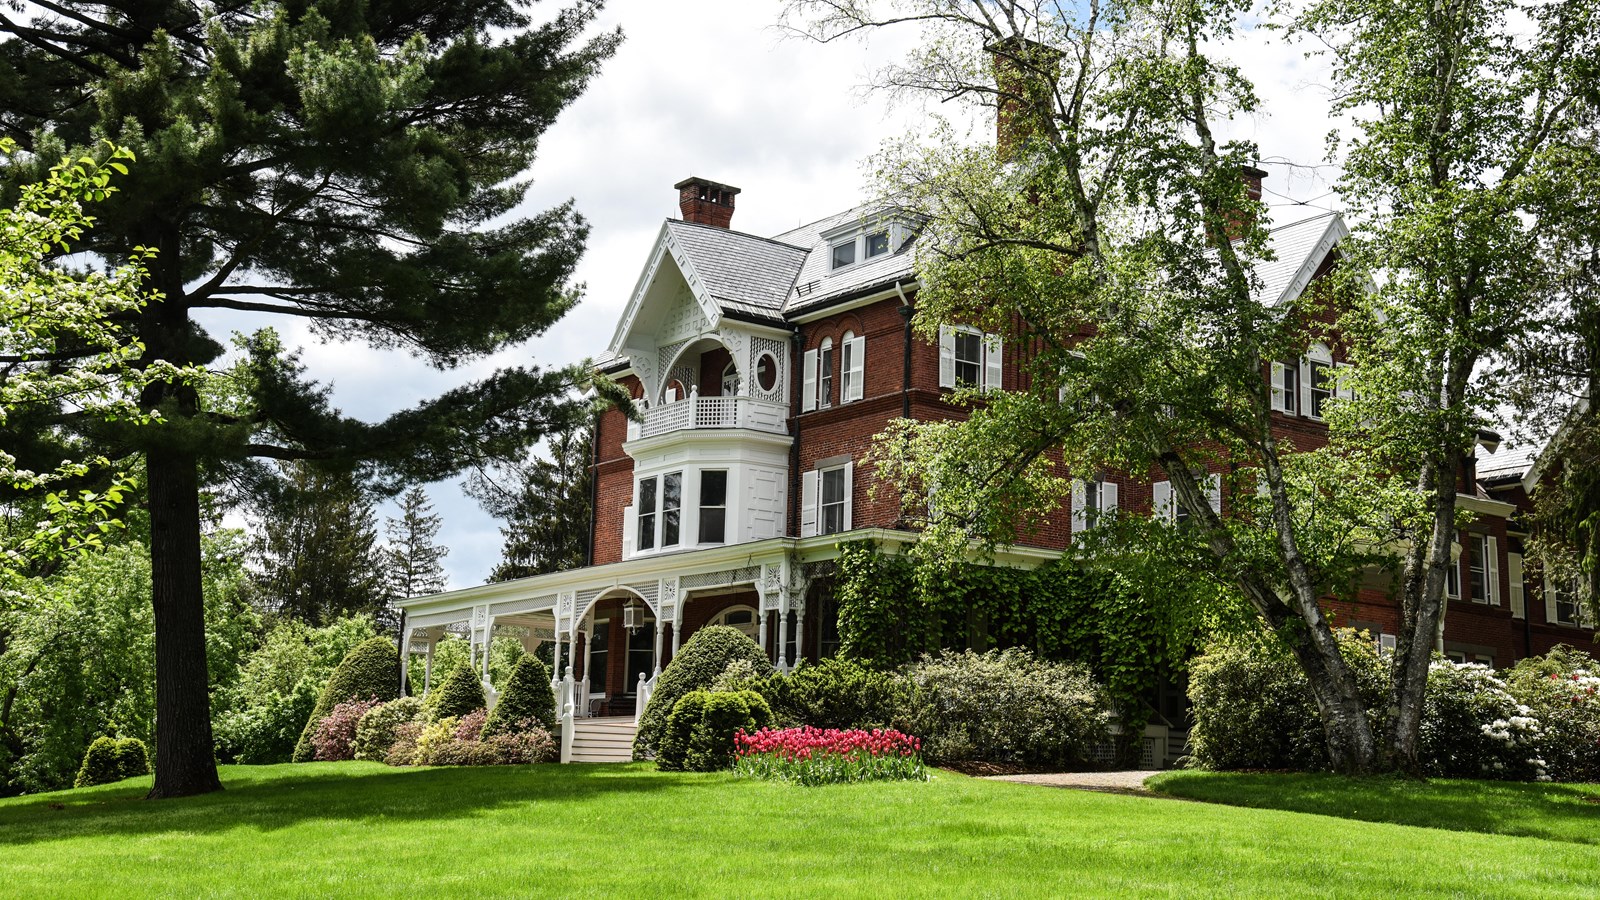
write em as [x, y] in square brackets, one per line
[362, 830]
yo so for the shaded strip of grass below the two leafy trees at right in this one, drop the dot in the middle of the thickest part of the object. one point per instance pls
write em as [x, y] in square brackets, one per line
[1558, 813]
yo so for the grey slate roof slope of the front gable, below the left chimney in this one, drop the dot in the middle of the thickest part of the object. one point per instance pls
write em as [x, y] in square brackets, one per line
[742, 271]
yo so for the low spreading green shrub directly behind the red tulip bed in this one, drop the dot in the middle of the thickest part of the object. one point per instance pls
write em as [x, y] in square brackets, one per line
[833, 694]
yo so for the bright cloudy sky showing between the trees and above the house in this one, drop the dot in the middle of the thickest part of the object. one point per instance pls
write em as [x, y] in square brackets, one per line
[711, 89]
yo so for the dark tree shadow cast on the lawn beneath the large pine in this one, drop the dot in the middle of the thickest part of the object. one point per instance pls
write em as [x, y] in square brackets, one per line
[268, 798]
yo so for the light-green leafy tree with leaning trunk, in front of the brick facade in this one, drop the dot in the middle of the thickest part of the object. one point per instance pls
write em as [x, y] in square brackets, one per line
[1113, 246]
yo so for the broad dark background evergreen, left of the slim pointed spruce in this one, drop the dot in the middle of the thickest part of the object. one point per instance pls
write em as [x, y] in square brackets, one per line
[318, 552]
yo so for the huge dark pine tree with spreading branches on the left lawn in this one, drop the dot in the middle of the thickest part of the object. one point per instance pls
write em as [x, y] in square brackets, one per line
[354, 166]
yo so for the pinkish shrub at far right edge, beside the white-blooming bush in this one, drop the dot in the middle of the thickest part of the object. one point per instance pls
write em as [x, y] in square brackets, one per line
[1562, 689]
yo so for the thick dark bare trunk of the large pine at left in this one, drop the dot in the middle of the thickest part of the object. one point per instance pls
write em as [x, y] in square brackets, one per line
[185, 758]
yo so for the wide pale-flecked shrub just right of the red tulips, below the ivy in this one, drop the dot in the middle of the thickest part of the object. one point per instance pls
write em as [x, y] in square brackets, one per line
[1007, 707]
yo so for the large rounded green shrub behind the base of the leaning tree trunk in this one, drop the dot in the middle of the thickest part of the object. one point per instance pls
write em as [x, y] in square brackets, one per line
[1254, 705]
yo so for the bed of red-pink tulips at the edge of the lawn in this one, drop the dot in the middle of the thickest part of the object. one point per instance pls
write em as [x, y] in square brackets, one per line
[830, 757]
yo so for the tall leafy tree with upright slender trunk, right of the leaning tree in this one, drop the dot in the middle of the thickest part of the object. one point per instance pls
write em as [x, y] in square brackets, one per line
[1471, 169]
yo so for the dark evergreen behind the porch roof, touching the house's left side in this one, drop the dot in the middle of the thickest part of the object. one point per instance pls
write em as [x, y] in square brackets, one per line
[546, 507]
